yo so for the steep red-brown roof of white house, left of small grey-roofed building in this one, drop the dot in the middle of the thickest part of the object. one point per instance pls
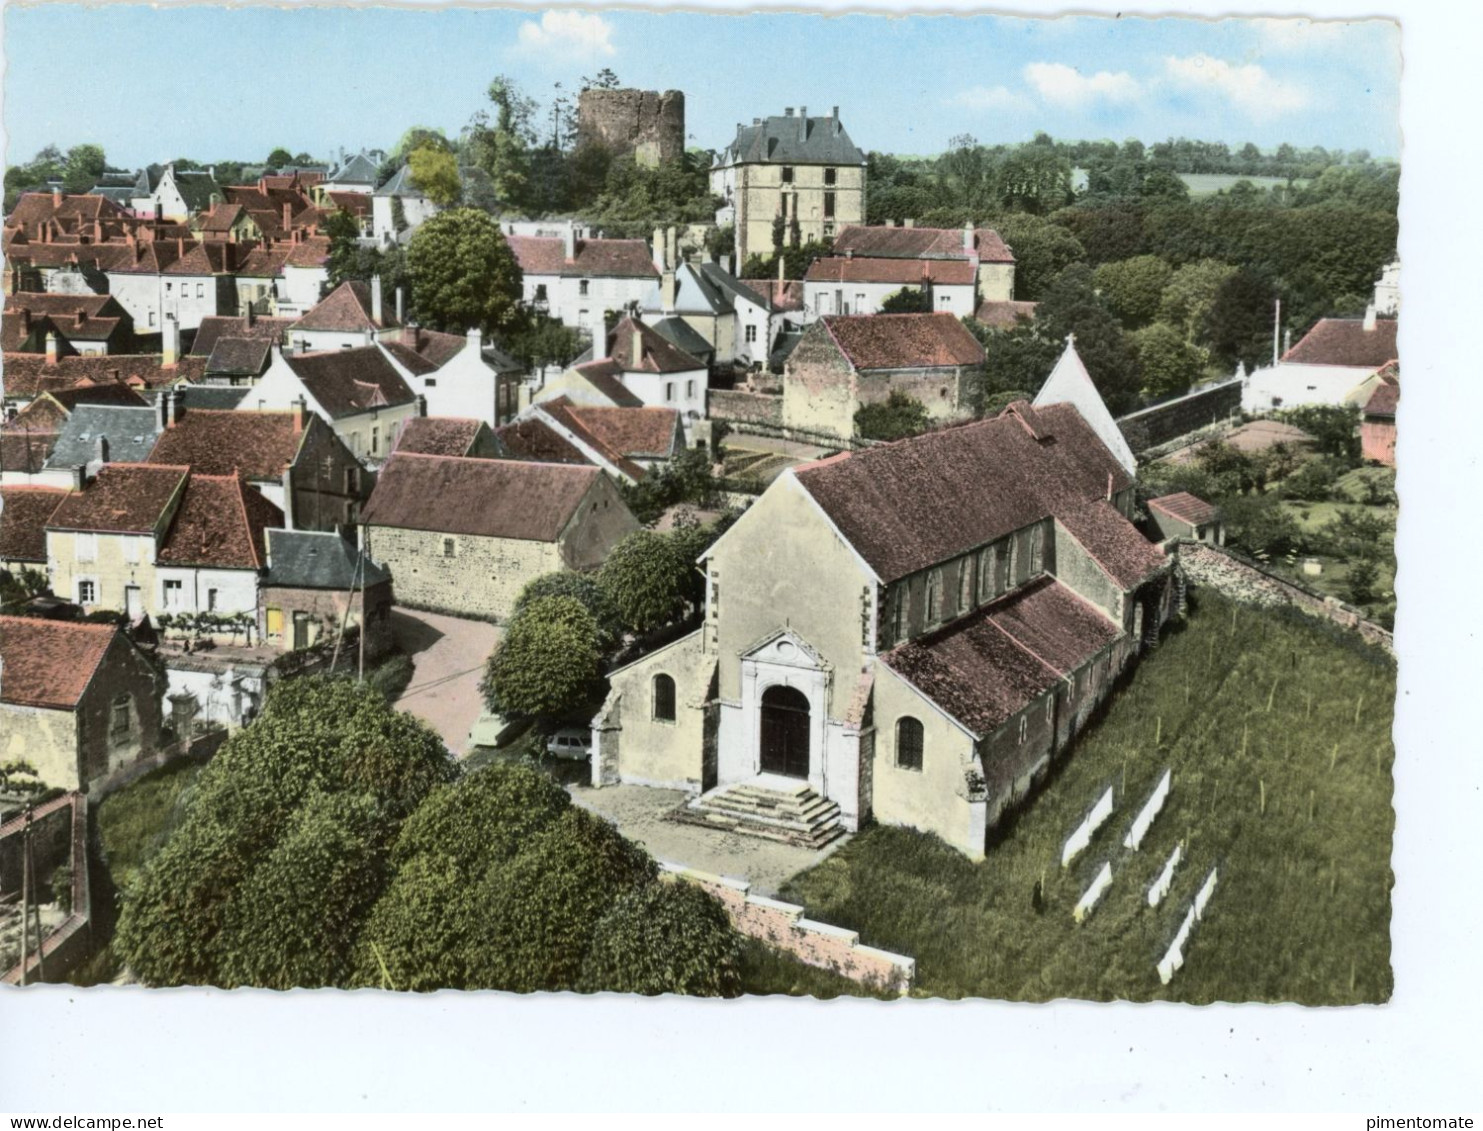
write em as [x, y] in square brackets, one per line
[220, 525]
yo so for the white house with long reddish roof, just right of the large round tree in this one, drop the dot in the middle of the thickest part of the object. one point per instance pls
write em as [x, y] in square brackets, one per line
[579, 281]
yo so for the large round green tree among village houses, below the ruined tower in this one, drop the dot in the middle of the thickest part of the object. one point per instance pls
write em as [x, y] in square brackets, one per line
[465, 273]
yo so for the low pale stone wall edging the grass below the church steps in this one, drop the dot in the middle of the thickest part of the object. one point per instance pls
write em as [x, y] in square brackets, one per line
[782, 926]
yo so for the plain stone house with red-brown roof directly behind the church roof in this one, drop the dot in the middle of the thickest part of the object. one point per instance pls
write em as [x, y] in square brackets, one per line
[846, 362]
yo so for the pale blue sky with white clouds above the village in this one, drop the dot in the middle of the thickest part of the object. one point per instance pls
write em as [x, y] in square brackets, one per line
[232, 84]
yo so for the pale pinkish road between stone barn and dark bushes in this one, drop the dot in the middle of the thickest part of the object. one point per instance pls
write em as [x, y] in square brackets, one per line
[449, 656]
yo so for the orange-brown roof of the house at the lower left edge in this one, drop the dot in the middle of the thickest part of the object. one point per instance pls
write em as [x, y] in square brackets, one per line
[51, 663]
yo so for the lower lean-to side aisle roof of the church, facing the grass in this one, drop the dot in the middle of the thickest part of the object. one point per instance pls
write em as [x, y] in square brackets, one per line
[988, 666]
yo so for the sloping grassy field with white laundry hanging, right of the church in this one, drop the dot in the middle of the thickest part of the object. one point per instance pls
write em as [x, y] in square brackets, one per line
[1278, 733]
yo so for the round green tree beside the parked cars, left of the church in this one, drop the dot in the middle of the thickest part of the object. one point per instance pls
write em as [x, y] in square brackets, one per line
[546, 666]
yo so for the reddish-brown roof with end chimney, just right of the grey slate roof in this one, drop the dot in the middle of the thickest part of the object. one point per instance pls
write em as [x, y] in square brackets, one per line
[216, 442]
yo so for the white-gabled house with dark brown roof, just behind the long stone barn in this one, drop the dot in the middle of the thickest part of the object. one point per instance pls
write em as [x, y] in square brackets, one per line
[358, 392]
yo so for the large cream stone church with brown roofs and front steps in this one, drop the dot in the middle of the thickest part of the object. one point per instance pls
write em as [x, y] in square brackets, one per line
[937, 622]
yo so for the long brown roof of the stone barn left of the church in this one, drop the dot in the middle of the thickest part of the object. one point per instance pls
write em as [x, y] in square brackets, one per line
[493, 499]
